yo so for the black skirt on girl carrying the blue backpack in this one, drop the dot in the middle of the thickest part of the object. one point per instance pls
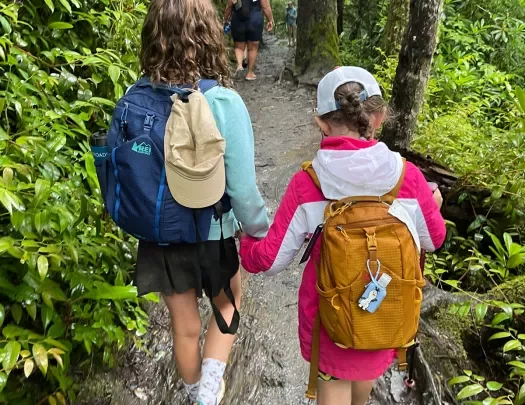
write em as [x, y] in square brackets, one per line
[178, 268]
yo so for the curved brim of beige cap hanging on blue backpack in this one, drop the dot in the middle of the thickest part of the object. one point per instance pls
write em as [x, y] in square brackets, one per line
[197, 193]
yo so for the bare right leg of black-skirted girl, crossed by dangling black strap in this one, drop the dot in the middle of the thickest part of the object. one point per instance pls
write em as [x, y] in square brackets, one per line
[218, 345]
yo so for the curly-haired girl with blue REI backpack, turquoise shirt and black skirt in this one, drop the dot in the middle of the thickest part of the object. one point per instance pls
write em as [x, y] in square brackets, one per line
[189, 250]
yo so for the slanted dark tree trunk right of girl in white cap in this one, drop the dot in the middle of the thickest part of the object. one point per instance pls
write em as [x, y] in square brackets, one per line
[413, 70]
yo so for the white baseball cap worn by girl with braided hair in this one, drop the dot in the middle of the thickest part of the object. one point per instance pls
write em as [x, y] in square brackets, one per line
[326, 101]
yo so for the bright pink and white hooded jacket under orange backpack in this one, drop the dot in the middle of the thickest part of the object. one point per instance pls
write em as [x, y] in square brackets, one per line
[346, 167]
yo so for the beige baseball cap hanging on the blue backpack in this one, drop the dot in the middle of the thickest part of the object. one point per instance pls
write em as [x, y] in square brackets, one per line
[194, 153]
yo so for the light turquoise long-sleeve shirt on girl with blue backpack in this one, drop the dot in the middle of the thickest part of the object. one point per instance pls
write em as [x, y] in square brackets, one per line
[233, 122]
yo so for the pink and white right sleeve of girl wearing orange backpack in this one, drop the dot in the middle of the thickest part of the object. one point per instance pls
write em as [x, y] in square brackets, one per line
[430, 225]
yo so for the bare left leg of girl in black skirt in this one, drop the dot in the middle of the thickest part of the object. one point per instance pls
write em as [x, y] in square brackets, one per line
[186, 327]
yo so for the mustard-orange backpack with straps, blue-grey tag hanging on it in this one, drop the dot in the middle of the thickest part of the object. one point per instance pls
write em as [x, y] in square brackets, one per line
[360, 238]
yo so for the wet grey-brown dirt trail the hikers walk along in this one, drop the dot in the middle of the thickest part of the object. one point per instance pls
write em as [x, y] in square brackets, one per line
[266, 366]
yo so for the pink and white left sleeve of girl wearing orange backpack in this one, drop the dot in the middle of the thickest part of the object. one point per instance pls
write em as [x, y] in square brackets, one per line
[277, 250]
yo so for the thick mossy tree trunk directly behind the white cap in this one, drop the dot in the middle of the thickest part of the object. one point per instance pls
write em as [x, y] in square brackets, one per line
[317, 40]
